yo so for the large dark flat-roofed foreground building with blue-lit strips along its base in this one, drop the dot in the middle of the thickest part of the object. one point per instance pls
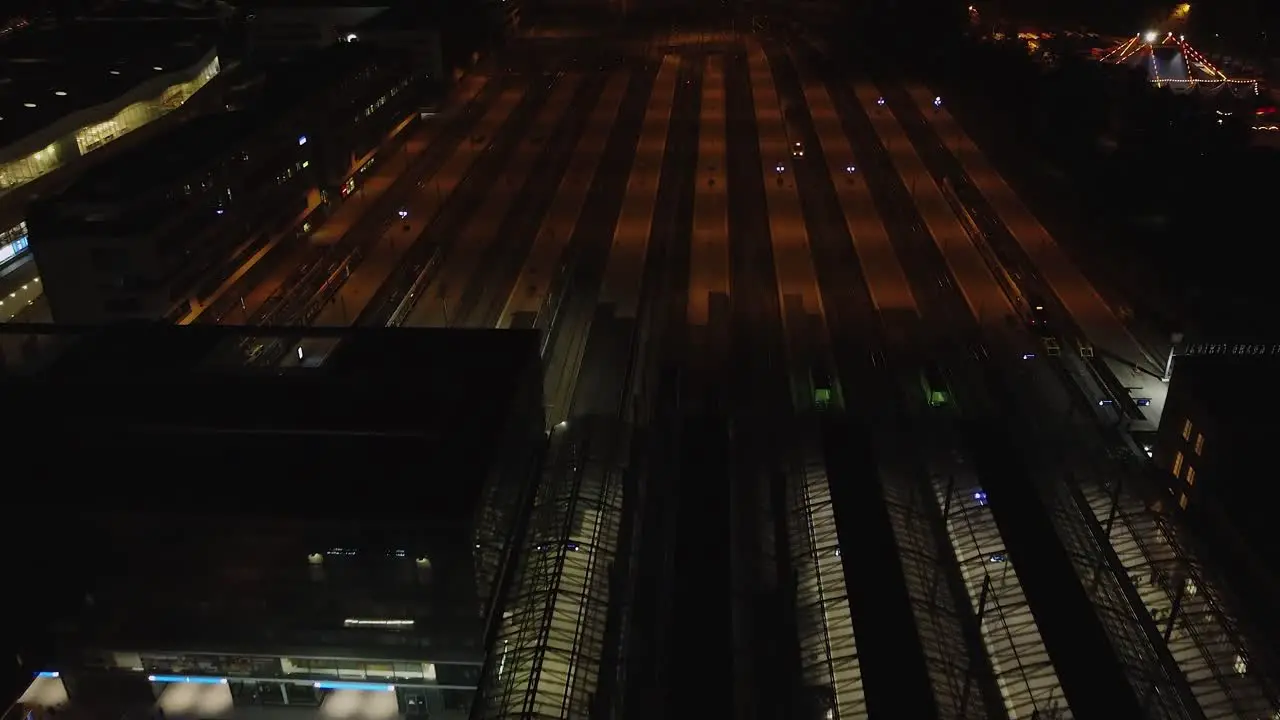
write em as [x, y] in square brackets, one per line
[327, 530]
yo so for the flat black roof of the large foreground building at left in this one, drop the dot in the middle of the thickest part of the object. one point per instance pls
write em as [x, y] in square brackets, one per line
[418, 409]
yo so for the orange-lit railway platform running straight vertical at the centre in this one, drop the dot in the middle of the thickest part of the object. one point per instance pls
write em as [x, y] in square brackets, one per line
[708, 266]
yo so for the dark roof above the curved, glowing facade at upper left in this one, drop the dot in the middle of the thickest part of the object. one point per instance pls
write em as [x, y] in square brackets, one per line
[53, 69]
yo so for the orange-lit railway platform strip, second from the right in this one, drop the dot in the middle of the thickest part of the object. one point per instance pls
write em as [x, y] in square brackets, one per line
[986, 300]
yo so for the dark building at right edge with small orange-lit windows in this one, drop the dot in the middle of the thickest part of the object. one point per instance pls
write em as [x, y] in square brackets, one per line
[1213, 457]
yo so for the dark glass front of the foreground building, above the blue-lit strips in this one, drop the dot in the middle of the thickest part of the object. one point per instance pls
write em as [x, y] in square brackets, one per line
[239, 584]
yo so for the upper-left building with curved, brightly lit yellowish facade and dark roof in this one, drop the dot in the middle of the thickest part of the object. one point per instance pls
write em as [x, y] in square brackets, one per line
[75, 86]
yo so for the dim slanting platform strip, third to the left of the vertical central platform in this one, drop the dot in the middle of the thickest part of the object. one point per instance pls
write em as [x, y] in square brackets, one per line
[461, 265]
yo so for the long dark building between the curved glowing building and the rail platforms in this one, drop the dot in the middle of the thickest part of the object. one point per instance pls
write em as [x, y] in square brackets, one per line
[166, 224]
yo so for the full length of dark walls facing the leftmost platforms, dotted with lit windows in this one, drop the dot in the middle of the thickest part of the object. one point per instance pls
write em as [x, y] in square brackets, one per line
[191, 229]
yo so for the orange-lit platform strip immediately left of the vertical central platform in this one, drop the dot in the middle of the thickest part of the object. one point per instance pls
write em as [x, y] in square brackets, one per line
[625, 268]
